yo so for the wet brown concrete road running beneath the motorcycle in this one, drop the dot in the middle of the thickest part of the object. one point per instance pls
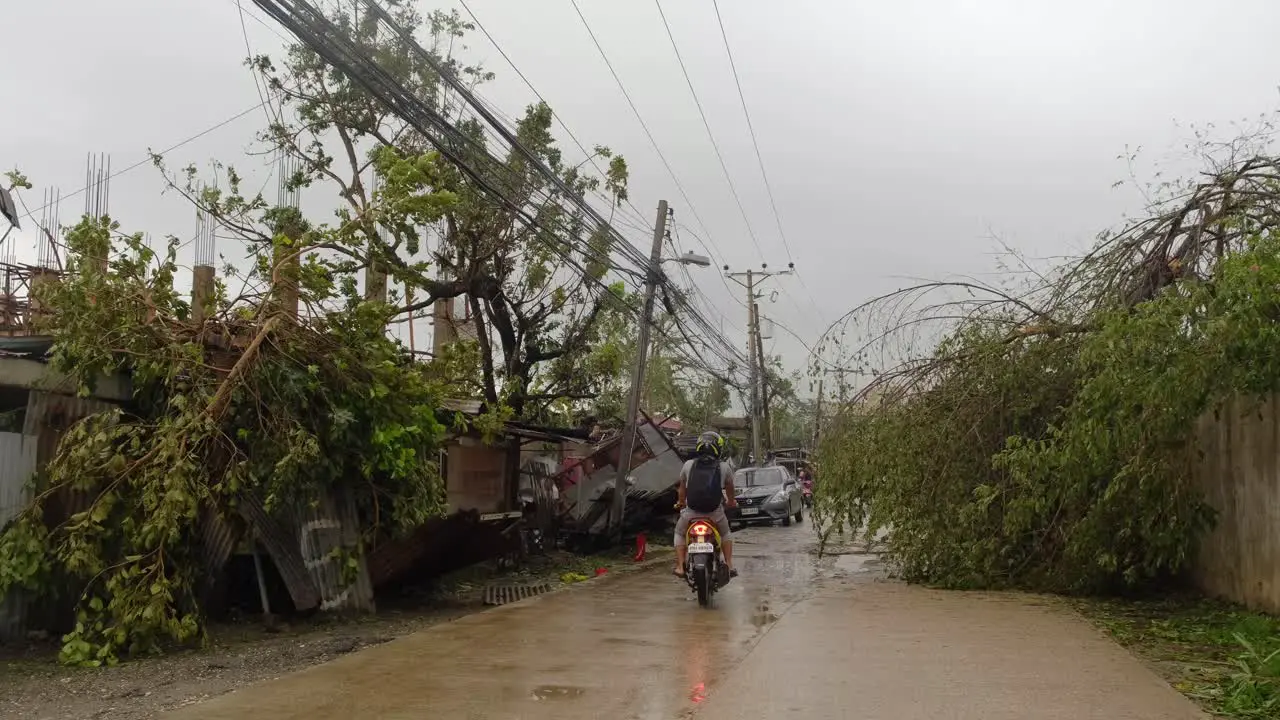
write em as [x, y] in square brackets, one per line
[793, 636]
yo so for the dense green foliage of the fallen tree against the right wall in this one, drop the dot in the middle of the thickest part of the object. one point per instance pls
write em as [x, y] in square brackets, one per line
[1059, 461]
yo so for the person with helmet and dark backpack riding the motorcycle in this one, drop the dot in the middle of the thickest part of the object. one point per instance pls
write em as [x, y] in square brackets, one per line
[705, 490]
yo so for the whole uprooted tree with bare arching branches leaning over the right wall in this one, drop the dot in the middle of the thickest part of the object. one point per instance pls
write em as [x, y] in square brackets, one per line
[1046, 440]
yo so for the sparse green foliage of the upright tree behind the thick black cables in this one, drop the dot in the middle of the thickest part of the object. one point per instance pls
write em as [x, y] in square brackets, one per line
[531, 291]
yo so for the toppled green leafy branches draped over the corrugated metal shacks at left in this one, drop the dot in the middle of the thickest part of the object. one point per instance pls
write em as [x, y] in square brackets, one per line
[299, 412]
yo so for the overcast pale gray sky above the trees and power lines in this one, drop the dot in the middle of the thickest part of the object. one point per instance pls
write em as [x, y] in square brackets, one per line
[899, 136]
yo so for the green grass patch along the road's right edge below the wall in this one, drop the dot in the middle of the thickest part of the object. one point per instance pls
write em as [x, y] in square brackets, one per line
[1223, 657]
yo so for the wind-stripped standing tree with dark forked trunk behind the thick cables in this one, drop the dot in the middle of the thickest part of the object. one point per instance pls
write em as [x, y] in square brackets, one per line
[515, 244]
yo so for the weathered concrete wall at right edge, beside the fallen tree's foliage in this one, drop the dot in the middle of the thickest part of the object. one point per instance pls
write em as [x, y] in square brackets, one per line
[1238, 466]
